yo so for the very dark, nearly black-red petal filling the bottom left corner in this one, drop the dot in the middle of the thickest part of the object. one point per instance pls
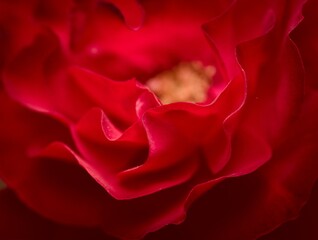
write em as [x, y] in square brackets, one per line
[19, 222]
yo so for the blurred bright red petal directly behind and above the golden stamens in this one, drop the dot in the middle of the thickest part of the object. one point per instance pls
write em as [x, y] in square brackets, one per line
[171, 33]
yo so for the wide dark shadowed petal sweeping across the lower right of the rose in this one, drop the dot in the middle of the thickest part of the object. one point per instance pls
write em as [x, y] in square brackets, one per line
[246, 207]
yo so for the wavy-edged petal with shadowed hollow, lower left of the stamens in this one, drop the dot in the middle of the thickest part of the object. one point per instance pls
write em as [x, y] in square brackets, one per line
[106, 150]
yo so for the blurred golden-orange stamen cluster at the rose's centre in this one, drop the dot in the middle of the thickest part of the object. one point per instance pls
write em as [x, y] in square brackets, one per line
[186, 82]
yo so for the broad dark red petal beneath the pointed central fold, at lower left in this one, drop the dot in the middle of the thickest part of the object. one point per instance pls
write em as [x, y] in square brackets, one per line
[56, 187]
